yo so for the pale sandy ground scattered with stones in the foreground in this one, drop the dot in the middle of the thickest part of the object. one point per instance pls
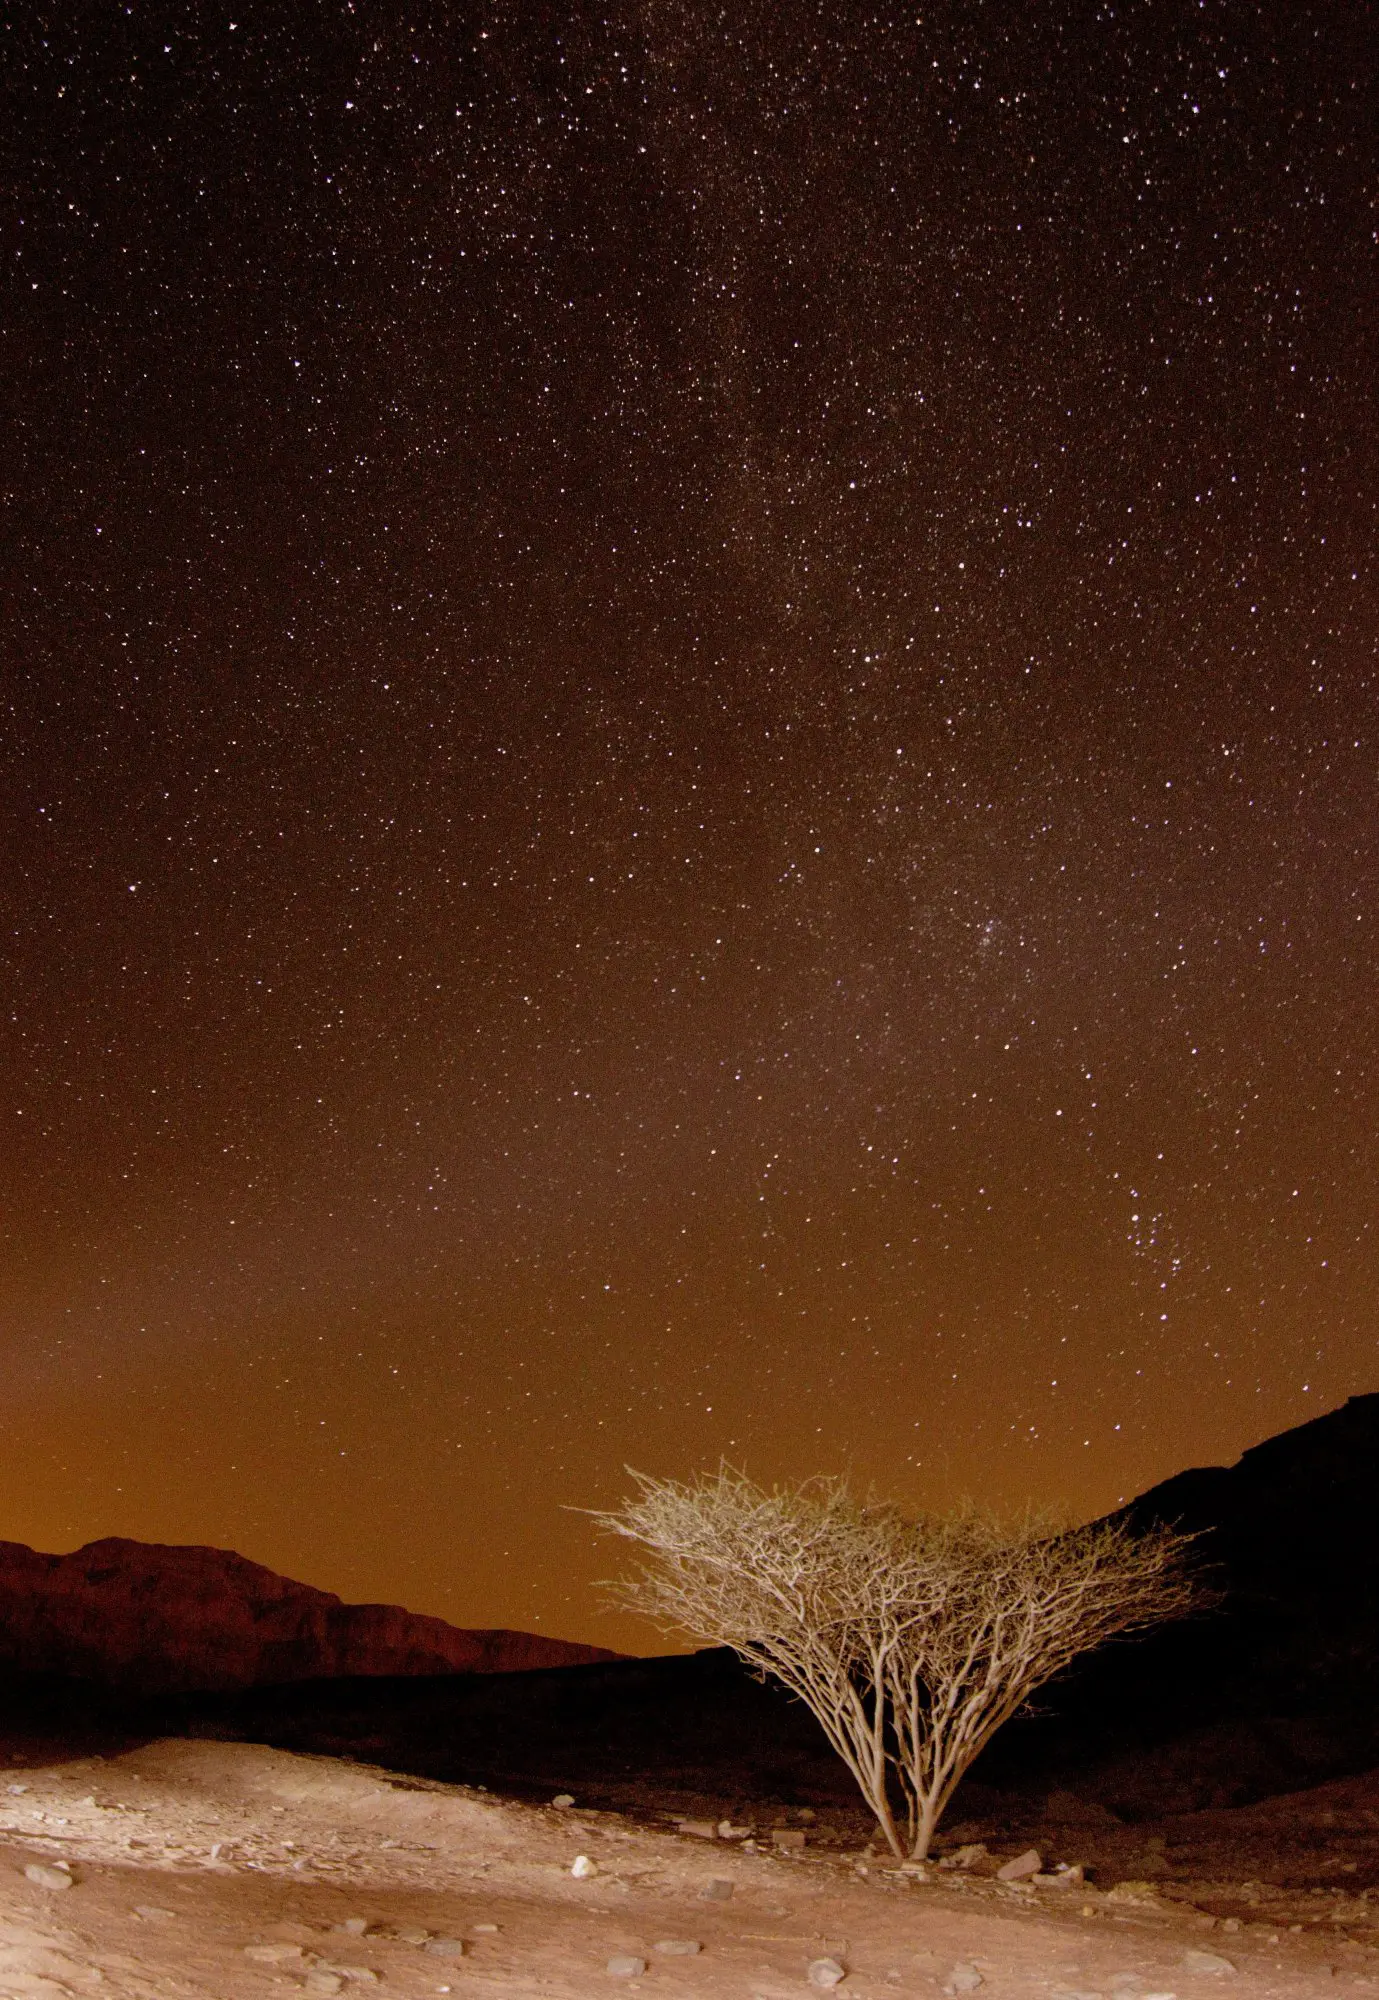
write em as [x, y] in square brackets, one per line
[241, 1873]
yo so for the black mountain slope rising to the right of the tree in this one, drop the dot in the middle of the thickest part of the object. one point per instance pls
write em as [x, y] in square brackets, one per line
[1272, 1687]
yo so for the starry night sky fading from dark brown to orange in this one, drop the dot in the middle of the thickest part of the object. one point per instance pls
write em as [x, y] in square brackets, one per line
[689, 765]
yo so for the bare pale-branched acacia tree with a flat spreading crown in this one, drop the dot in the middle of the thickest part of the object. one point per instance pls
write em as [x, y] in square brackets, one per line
[910, 1641]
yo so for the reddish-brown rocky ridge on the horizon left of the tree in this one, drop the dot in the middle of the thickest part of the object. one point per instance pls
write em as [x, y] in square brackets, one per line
[155, 1619]
